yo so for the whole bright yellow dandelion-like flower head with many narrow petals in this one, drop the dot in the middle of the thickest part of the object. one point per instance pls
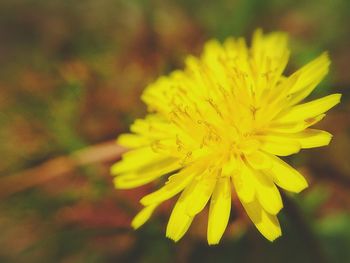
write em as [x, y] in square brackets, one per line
[225, 118]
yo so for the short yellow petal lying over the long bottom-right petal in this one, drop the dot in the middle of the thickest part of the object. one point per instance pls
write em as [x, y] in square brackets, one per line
[267, 193]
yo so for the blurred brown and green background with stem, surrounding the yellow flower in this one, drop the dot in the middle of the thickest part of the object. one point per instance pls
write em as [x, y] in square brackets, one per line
[71, 73]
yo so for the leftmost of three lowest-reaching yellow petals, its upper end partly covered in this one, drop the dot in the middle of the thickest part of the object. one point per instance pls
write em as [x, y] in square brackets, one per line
[179, 221]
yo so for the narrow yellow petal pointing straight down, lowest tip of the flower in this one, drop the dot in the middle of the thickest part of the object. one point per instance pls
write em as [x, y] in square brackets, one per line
[219, 211]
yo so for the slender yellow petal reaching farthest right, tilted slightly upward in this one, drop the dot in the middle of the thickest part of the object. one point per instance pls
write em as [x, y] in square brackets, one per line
[310, 109]
